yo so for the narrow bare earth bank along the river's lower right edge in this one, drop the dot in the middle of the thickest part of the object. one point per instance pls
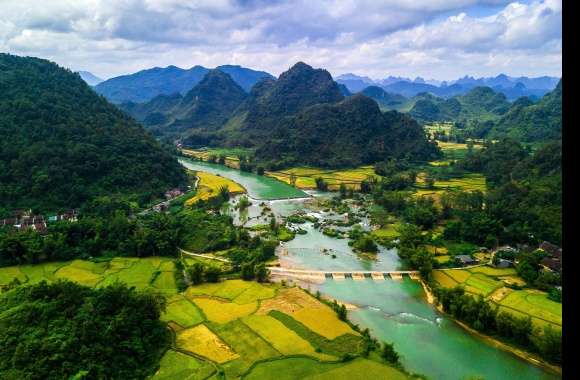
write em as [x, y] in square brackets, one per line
[529, 357]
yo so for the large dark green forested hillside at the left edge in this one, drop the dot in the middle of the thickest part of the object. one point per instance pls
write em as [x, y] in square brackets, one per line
[62, 145]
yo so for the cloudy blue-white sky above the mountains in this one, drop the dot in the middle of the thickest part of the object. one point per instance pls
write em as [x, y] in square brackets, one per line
[440, 39]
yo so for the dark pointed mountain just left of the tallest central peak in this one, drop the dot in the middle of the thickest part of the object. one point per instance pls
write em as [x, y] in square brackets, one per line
[207, 106]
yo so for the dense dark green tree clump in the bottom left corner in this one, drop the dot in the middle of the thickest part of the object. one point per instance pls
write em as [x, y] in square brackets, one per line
[63, 330]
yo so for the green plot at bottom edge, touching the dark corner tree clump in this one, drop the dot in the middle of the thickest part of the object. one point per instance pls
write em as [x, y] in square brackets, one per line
[179, 366]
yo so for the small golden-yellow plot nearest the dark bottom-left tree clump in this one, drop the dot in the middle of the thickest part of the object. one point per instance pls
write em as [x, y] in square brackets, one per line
[202, 341]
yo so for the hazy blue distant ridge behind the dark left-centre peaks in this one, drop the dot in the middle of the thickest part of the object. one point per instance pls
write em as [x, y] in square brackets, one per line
[144, 85]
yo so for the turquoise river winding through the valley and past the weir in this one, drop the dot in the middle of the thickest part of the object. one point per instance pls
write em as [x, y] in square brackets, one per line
[394, 311]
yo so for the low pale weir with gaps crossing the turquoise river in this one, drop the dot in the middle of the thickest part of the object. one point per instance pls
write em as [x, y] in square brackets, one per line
[342, 275]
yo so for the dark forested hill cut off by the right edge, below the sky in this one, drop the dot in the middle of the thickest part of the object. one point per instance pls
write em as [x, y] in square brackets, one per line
[530, 122]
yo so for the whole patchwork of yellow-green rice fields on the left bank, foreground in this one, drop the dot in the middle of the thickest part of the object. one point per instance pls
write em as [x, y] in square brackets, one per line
[225, 326]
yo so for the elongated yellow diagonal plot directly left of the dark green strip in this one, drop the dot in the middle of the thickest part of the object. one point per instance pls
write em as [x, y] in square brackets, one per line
[281, 337]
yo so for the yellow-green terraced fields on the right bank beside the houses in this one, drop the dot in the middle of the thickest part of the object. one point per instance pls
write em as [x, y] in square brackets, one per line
[491, 283]
